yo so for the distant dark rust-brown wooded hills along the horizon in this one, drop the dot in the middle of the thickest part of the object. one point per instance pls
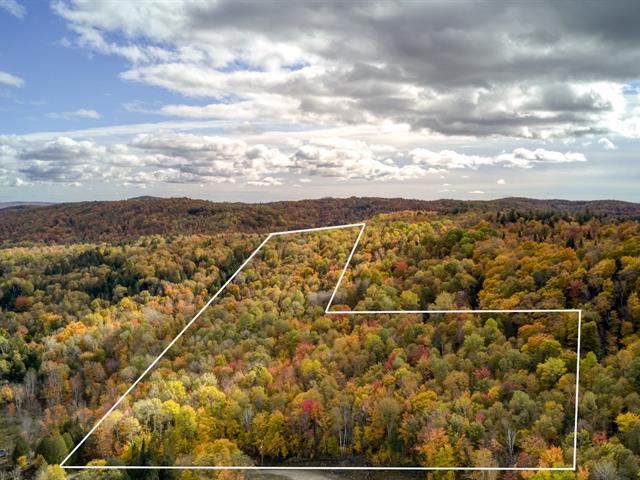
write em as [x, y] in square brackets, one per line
[128, 219]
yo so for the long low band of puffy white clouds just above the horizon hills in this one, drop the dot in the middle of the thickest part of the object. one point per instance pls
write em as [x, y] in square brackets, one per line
[169, 157]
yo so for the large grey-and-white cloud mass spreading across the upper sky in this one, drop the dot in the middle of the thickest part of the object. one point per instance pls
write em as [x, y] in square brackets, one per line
[344, 65]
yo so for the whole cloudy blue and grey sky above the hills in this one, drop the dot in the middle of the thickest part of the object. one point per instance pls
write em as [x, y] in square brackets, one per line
[273, 100]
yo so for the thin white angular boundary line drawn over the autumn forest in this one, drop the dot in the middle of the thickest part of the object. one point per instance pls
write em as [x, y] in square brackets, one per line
[329, 312]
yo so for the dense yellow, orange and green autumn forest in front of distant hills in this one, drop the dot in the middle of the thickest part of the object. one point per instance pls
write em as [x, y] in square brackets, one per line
[265, 377]
